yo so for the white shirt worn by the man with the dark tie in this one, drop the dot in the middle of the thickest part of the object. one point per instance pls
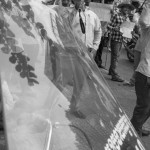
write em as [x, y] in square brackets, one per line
[92, 24]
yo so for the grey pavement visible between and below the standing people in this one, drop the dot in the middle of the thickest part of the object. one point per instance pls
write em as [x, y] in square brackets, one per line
[124, 94]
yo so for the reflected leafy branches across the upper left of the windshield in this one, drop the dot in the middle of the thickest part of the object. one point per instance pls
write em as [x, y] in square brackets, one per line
[20, 15]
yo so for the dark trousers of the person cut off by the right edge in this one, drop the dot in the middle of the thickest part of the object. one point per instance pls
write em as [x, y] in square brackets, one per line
[142, 109]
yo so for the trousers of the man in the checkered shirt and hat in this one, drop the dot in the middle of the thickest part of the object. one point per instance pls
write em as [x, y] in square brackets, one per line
[115, 53]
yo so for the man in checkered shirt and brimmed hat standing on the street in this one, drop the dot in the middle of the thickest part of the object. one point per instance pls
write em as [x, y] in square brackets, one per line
[116, 37]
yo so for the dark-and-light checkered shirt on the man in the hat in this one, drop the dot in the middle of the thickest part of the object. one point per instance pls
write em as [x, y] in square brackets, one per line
[116, 20]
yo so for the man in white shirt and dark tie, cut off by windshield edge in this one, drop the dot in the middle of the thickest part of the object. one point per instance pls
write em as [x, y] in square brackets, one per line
[86, 26]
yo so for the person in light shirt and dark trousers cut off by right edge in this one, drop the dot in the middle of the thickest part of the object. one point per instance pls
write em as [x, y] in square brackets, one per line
[142, 76]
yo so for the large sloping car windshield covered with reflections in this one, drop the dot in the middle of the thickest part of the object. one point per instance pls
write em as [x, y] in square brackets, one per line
[53, 95]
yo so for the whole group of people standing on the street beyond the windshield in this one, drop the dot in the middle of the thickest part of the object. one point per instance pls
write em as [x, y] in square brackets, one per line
[87, 26]
